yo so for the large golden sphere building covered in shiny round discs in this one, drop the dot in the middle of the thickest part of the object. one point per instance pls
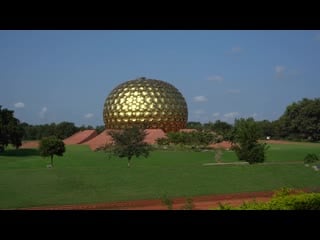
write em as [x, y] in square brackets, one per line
[145, 102]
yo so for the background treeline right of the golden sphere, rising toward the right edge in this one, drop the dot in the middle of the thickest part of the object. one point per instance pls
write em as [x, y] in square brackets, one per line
[299, 122]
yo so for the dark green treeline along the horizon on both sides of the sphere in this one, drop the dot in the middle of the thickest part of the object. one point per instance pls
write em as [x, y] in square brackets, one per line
[299, 122]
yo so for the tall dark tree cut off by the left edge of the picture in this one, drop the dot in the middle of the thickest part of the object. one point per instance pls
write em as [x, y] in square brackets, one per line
[10, 129]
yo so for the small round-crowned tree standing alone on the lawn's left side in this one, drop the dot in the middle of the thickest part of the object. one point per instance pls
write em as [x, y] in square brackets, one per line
[50, 146]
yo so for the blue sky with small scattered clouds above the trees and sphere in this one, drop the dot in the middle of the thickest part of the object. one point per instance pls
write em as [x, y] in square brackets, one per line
[53, 76]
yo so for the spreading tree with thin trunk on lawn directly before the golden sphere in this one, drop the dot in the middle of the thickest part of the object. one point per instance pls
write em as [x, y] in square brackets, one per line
[129, 142]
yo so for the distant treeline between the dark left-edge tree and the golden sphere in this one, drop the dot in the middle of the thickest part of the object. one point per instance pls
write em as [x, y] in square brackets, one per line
[61, 130]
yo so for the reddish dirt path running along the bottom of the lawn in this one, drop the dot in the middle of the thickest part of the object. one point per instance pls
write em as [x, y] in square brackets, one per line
[200, 203]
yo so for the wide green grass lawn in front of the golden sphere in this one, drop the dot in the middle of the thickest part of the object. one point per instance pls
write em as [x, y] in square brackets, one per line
[83, 176]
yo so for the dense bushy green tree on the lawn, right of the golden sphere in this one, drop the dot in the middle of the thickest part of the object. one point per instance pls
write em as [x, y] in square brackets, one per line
[245, 141]
